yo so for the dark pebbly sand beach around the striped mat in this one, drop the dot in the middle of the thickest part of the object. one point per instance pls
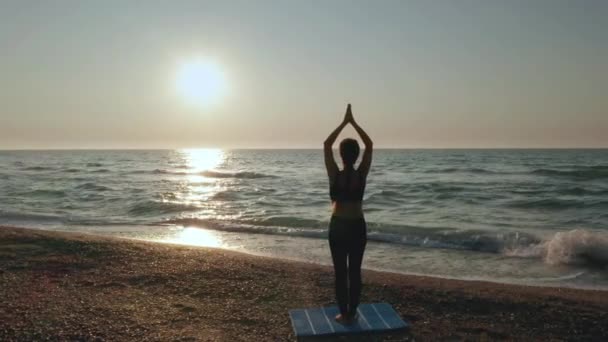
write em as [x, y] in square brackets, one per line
[72, 286]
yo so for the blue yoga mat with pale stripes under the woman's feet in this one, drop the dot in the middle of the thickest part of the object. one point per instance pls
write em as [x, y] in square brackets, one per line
[372, 318]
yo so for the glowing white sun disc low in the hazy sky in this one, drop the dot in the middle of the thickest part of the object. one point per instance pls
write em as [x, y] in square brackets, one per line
[201, 82]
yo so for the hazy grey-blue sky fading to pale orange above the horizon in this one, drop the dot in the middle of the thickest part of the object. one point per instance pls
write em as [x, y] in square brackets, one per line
[419, 74]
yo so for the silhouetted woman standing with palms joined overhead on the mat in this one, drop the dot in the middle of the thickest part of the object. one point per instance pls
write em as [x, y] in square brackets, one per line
[347, 227]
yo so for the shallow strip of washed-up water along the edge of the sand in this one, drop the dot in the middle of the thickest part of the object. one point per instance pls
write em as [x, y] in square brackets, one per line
[379, 256]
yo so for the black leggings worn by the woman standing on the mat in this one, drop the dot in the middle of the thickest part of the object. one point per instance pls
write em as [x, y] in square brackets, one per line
[347, 240]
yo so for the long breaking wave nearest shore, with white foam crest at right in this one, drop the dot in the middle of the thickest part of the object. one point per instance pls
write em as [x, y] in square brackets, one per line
[570, 247]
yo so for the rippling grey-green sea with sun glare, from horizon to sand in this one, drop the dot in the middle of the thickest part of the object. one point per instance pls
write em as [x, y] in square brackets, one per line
[533, 217]
